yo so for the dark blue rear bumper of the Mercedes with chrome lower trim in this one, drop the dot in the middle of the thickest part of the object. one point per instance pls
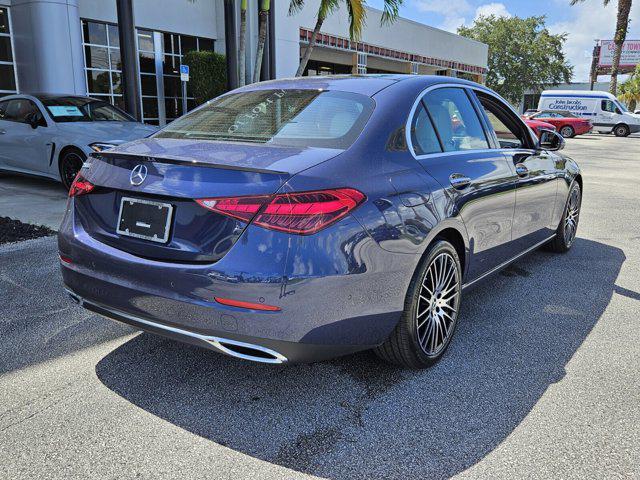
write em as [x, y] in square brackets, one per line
[338, 291]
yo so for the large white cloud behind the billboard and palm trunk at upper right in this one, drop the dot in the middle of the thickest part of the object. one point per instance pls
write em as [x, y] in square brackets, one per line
[591, 21]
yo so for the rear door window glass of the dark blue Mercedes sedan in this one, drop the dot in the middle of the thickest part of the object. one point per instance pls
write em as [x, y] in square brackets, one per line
[455, 120]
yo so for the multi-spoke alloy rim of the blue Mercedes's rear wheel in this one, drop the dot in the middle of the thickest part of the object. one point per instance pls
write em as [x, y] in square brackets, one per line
[438, 304]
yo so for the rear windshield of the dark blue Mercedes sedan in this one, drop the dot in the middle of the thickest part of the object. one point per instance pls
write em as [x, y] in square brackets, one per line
[313, 118]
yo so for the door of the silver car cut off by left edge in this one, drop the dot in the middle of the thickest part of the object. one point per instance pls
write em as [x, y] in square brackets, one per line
[25, 148]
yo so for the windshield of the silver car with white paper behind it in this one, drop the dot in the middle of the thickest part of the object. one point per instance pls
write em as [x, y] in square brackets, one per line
[77, 109]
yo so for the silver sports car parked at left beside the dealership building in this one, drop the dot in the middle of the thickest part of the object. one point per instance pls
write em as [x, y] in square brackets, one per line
[52, 135]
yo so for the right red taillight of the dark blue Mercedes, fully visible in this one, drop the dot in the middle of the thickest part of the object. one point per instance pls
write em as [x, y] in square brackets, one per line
[302, 213]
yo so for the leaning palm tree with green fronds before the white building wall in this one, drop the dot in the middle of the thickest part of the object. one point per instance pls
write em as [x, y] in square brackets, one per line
[357, 17]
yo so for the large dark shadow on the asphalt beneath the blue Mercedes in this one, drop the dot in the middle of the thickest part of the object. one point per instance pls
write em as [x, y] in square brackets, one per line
[354, 416]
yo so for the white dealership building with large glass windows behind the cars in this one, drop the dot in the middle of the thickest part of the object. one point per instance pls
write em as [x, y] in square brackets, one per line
[74, 47]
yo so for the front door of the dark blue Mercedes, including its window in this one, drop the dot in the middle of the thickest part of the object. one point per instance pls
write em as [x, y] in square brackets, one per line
[537, 173]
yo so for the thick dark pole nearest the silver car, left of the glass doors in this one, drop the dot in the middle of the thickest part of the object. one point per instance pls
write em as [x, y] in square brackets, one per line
[128, 54]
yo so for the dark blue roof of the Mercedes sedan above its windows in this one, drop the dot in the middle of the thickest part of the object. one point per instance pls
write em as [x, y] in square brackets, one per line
[368, 84]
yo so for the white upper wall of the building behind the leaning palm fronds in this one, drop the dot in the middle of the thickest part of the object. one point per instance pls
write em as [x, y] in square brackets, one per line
[404, 35]
